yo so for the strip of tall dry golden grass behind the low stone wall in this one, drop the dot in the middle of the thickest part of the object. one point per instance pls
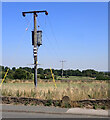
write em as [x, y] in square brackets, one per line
[45, 90]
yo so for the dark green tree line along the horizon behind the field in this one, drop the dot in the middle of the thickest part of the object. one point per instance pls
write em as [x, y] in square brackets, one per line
[27, 73]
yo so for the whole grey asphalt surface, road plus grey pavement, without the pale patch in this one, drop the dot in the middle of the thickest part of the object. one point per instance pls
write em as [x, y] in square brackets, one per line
[17, 111]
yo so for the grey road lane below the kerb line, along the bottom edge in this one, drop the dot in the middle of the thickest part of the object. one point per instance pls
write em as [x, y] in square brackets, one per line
[42, 115]
